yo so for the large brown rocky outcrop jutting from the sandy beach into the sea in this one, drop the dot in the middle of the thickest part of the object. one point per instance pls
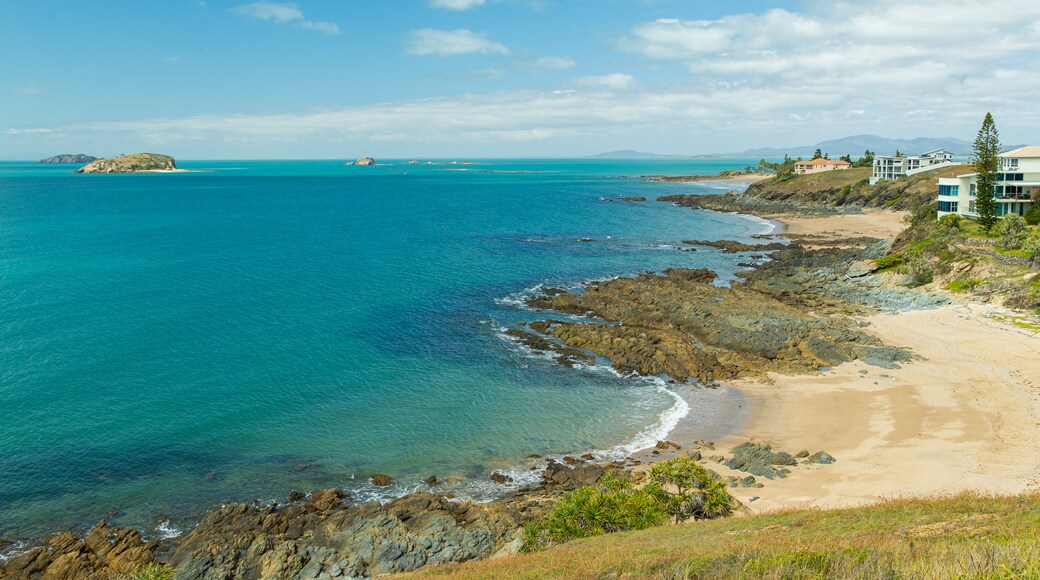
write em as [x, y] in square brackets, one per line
[784, 318]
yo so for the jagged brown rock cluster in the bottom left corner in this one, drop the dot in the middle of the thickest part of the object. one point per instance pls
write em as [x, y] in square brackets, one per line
[105, 553]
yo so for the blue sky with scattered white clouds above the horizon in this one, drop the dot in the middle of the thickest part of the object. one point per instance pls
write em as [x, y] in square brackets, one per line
[233, 80]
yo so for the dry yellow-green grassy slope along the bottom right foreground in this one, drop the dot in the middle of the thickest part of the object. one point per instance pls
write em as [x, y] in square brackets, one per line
[967, 536]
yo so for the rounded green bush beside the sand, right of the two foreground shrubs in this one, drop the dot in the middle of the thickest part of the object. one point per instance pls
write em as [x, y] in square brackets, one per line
[698, 493]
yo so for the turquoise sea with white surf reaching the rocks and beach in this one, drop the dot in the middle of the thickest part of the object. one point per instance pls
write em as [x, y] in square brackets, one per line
[170, 342]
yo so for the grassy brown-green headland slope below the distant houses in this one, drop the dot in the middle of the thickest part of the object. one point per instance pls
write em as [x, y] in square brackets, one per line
[852, 188]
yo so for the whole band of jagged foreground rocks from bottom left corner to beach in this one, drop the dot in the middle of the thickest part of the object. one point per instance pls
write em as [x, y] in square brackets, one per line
[322, 536]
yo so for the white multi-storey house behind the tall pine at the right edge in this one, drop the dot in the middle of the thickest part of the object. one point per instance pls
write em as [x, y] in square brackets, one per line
[1018, 187]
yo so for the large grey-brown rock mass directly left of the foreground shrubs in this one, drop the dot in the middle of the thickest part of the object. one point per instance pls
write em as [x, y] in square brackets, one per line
[254, 541]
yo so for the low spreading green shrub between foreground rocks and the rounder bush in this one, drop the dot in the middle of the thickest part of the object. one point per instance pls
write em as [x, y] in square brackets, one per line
[615, 505]
